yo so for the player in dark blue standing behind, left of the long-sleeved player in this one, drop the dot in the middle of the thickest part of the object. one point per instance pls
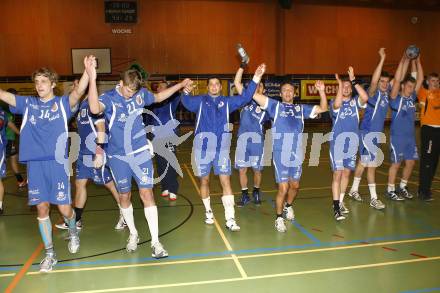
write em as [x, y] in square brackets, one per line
[165, 113]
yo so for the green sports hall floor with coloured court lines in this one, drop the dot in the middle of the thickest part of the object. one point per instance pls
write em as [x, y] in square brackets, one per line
[395, 250]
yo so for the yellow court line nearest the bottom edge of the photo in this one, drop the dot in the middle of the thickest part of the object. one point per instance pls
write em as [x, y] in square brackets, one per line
[334, 269]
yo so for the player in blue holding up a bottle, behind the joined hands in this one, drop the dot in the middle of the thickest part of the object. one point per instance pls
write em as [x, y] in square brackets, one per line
[252, 118]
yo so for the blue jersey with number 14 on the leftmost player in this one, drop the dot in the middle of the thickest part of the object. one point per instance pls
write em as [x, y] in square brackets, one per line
[43, 123]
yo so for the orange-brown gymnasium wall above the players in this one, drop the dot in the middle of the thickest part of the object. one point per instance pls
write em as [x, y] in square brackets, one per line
[199, 37]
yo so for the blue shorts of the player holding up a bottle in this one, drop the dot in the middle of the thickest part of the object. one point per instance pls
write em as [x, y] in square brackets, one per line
[252, 156]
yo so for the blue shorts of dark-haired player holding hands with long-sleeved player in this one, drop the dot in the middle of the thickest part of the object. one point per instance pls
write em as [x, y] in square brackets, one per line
[285, 173]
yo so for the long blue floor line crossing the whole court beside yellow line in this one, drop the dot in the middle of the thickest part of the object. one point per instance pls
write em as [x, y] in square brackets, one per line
[240, 252]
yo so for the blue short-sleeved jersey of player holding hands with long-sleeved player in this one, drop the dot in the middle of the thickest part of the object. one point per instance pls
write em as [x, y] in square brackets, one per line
[287, 119]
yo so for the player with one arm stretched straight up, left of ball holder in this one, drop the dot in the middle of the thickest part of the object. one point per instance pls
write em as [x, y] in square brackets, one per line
[371, 129]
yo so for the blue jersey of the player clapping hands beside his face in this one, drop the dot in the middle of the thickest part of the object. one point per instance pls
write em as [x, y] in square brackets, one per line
[346, 118]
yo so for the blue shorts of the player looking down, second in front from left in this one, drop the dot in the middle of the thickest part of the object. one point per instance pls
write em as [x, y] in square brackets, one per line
[139, 167]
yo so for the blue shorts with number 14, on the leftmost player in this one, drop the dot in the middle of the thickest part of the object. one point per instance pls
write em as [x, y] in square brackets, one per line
[48, 182]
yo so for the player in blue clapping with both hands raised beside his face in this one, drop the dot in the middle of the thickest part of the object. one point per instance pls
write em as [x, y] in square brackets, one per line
[344, 111]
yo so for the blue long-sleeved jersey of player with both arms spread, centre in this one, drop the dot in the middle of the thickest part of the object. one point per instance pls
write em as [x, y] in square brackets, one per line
[212, 114]
